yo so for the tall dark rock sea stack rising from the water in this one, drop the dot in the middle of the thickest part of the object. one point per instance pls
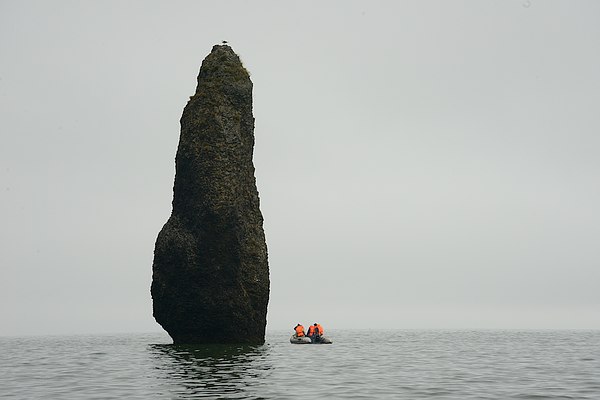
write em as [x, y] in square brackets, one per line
[210, 276]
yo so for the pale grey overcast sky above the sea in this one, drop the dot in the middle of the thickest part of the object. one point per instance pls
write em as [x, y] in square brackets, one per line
[421, 164]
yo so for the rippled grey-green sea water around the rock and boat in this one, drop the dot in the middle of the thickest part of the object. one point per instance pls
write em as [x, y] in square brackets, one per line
[409, 364]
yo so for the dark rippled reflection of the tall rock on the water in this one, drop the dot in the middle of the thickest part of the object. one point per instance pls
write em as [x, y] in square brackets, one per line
[210, 371]
